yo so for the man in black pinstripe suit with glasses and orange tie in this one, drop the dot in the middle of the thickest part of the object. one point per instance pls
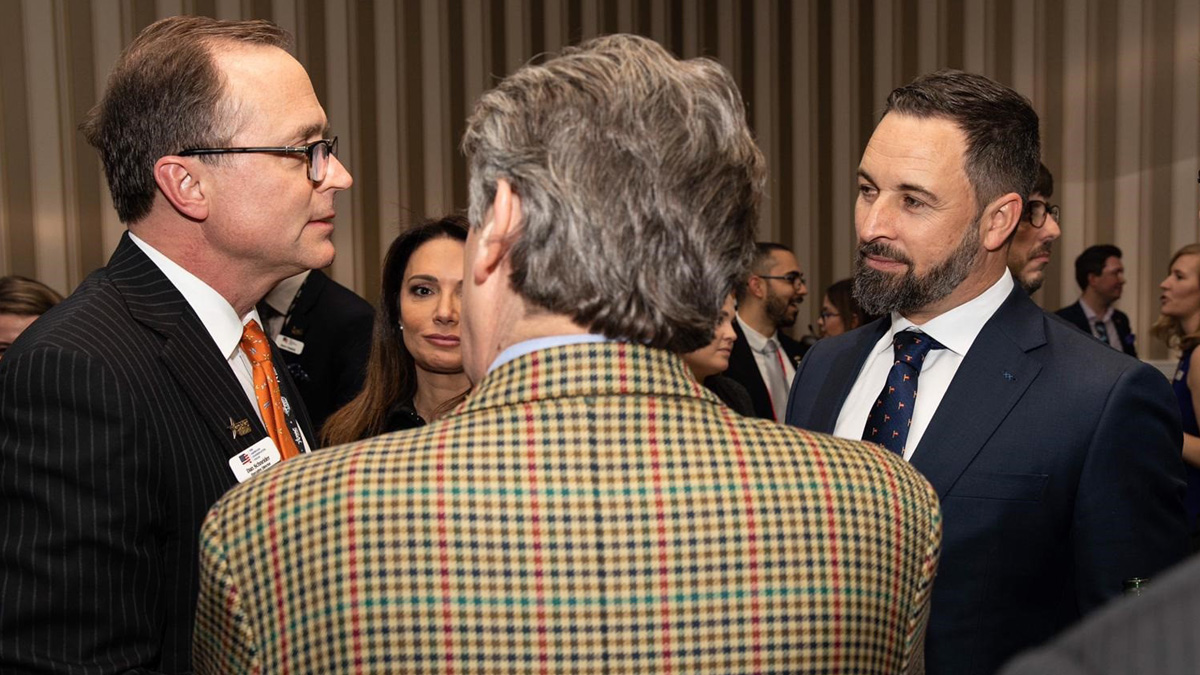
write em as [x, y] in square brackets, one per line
[128, 410]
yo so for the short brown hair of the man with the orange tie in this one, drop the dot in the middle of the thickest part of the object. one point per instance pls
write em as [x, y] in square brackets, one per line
[165, 95]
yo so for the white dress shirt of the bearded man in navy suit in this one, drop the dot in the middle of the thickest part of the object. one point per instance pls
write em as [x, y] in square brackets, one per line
[955, 330]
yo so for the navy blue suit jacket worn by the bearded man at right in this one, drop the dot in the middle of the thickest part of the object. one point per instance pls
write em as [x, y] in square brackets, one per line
[1058, 462]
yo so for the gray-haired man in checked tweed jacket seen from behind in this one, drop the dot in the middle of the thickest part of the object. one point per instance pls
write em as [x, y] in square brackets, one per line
[590, 509]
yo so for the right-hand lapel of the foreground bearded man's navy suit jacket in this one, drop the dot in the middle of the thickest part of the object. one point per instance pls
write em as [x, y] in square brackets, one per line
[993, 377]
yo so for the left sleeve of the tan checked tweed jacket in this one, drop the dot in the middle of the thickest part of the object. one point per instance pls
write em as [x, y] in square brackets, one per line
[223, 642]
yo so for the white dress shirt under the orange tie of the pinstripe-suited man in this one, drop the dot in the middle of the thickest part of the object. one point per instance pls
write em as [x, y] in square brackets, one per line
[218, 316]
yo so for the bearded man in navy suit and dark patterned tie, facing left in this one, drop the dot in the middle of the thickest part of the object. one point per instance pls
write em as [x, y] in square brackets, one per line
[1058, 461]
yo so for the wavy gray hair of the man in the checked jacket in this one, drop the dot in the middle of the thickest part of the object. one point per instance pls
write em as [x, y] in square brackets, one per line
[640, 186]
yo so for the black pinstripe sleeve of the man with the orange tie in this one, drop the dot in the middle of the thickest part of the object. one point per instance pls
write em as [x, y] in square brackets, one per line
[81, 588]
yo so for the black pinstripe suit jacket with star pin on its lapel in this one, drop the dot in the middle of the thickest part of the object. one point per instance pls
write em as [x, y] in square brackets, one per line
[116, 437]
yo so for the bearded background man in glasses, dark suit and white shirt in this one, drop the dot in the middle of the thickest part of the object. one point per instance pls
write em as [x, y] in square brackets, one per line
[764, 359]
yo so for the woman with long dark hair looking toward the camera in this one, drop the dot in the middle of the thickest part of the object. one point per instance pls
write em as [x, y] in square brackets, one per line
[415, 373]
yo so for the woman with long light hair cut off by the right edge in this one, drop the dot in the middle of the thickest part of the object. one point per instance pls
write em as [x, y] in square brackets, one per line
[1180, 328]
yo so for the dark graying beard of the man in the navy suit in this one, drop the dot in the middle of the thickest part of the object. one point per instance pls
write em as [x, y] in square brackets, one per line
[880, 294]
